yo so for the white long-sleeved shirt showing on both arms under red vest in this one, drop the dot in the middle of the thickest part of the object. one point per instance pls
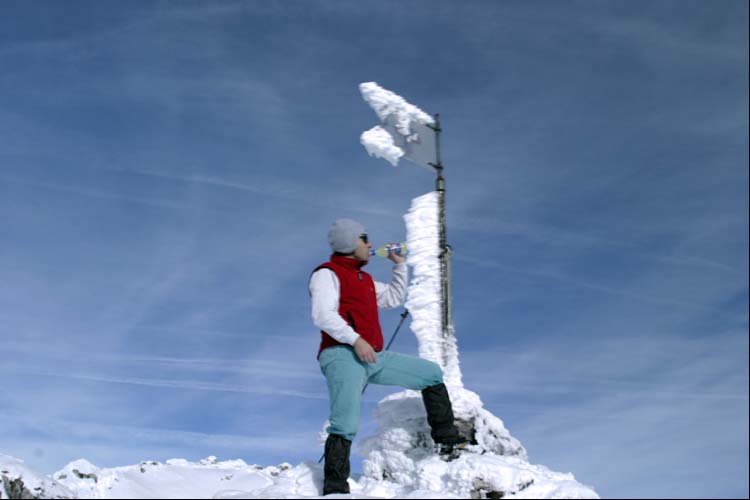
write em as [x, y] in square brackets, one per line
[325, 291]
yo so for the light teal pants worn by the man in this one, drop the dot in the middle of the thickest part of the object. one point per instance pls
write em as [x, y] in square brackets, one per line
[346, 376]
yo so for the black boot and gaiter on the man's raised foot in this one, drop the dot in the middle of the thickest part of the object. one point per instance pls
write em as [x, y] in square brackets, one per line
[440, 417]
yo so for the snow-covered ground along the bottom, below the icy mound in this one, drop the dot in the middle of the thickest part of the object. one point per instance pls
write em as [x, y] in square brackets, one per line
[210, 478]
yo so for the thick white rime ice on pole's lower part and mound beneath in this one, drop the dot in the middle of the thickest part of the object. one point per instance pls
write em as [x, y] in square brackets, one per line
[401, 452]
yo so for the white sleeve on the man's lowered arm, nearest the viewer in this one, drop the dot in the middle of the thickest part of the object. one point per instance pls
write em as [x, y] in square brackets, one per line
[325, 292]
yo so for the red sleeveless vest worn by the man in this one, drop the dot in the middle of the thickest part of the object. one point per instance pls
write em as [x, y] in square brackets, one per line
[358, 304]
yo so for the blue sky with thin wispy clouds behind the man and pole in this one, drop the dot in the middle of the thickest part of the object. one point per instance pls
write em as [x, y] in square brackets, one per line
[168, 171]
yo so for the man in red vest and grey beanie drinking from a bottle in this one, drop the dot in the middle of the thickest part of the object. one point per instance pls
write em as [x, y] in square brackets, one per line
[345, 302]
